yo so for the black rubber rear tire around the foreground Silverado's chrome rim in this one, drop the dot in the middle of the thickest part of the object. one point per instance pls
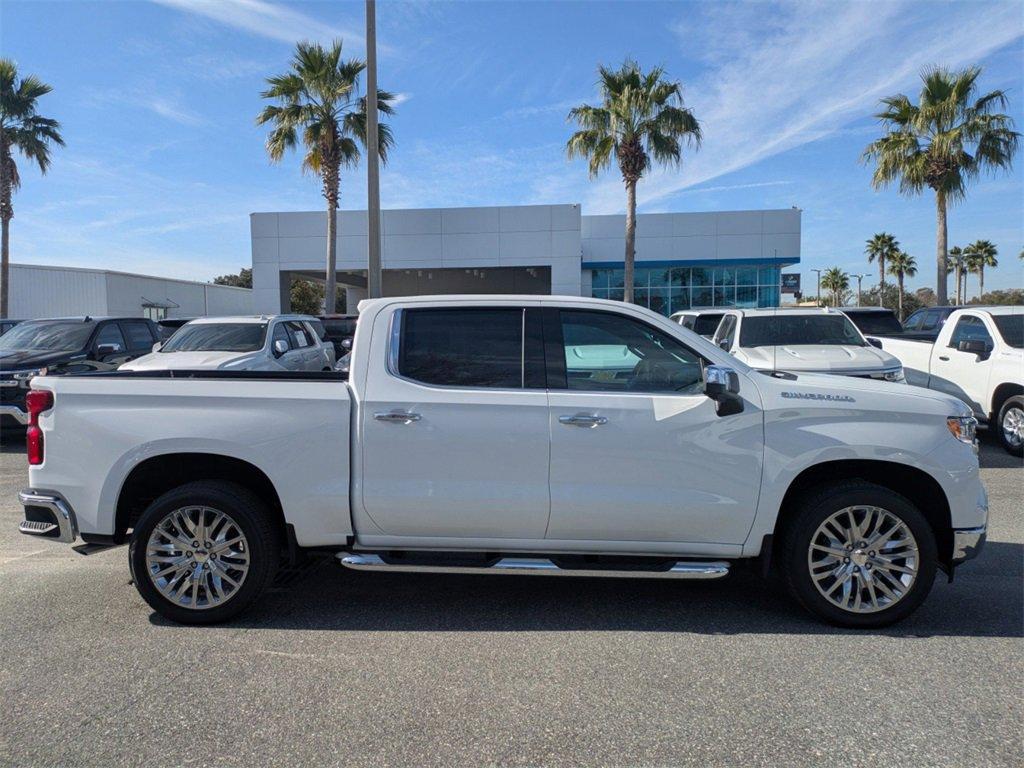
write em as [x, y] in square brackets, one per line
[248, 514]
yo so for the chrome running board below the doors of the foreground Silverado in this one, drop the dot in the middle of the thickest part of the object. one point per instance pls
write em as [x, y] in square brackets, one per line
[537, 567]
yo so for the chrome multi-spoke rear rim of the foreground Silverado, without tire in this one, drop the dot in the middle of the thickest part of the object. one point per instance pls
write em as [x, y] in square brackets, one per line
[197, 558]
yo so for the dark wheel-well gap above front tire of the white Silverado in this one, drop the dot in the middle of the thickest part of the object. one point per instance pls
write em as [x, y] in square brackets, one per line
[917, 486]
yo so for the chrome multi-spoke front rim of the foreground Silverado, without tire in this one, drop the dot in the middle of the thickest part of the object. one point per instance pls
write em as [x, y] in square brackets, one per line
[864, 560]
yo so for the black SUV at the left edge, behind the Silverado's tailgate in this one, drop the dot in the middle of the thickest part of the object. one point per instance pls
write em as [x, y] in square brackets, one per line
[65, 346]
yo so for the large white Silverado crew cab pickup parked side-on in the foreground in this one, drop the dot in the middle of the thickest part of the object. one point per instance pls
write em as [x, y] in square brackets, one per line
[515, 435]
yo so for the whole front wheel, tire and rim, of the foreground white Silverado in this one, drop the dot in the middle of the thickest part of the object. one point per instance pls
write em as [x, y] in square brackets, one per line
[860, 556]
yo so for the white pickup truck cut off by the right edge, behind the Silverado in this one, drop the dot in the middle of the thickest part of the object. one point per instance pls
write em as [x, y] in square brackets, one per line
[978, 358]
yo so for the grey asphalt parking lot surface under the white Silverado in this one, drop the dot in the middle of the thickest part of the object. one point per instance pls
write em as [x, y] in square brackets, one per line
[344, 668]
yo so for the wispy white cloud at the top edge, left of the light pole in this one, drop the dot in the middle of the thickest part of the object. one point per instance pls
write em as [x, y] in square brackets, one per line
[267, 20]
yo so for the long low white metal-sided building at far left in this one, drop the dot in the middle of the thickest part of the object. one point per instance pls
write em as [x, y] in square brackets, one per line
[64, 292]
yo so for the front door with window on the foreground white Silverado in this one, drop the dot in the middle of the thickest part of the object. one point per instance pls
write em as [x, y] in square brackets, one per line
[638, 453]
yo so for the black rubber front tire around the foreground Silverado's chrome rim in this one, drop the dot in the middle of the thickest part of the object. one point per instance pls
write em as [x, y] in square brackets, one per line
[818, 506]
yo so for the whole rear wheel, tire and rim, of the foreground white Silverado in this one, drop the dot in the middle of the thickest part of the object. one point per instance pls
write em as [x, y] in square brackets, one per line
[203, 552]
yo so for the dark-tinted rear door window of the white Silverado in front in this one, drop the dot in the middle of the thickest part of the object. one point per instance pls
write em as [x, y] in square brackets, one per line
[465, 348]
